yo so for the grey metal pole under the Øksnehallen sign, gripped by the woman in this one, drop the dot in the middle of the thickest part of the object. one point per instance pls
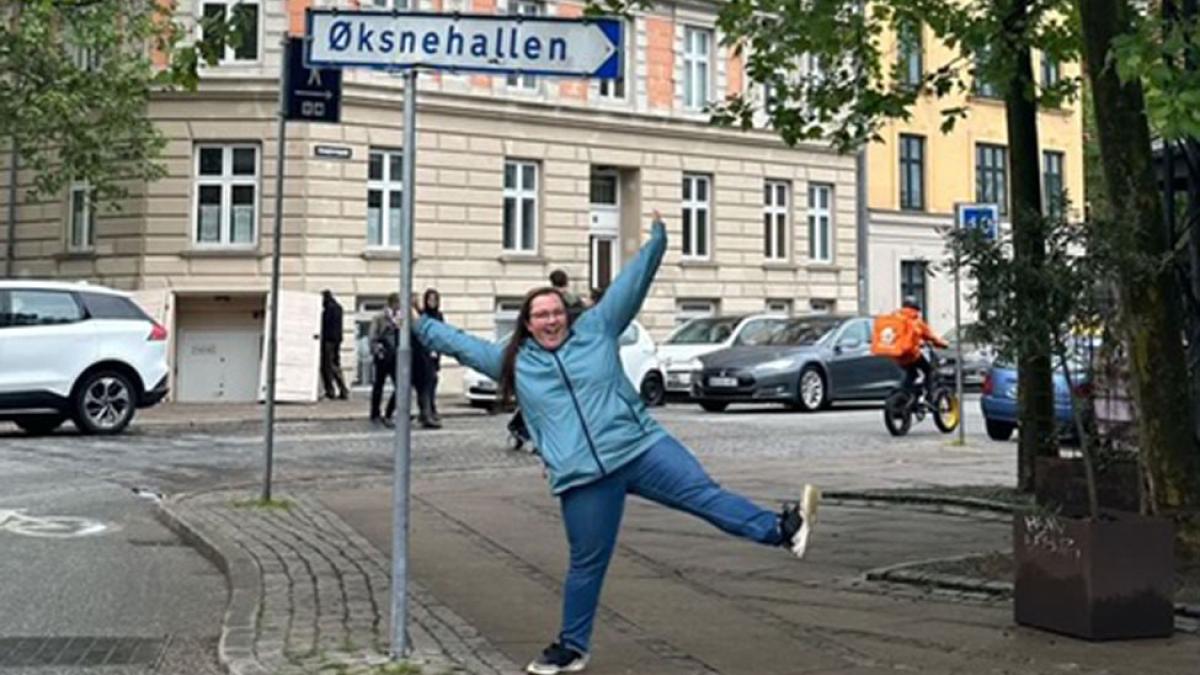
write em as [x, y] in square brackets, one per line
[404, 384]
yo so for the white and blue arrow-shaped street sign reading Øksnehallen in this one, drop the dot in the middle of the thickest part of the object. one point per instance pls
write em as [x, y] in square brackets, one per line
[473, 43]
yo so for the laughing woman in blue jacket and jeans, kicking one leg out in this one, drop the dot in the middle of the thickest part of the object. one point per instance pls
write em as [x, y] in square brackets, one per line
[598, 441]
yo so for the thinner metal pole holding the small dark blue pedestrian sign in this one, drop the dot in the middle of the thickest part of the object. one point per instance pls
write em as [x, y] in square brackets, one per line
[274, 298]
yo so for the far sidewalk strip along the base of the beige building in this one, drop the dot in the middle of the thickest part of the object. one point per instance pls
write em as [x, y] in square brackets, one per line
[208, 415]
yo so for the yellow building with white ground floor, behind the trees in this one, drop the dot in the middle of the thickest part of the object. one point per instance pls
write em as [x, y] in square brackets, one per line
[917, 175]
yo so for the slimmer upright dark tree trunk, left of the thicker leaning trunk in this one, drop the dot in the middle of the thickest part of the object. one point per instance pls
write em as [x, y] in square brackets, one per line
[1036, 416]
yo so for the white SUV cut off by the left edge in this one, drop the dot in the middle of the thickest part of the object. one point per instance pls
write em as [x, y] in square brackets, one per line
[77, 351]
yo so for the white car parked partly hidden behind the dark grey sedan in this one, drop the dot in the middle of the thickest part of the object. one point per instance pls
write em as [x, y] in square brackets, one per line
[681, 353]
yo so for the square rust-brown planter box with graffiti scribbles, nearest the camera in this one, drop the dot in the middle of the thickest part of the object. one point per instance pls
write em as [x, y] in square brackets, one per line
[1106, 580]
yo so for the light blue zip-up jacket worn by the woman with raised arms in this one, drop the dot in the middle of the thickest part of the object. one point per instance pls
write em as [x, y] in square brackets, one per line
[583, 413]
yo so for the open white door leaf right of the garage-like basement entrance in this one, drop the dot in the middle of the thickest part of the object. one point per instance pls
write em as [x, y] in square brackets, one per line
[298, 356]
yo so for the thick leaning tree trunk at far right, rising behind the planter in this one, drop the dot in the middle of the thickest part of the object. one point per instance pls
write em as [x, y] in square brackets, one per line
[1151, 298]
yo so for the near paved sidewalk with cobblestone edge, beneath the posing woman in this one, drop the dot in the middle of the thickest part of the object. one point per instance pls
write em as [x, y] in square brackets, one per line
[488, 557]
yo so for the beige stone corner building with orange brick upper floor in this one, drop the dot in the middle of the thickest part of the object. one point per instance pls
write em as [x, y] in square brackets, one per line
[515, 177]
